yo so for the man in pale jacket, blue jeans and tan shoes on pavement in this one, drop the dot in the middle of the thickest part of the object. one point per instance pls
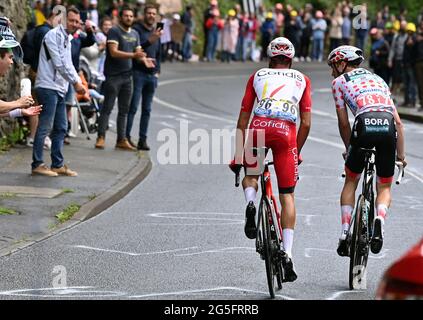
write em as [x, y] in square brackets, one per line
[55, 71]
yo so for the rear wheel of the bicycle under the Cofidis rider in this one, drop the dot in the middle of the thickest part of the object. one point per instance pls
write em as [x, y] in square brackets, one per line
[267, 254]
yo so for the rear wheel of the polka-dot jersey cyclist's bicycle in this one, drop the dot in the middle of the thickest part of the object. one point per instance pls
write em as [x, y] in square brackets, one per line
[359, 249]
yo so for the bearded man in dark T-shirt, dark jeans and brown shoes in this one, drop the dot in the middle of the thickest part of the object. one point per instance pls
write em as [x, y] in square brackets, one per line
[123, 46]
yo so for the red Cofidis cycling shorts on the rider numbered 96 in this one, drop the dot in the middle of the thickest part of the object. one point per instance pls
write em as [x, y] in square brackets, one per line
[281, 137]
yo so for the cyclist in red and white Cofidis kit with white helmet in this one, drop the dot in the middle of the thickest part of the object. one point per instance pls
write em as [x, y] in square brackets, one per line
[282, 94]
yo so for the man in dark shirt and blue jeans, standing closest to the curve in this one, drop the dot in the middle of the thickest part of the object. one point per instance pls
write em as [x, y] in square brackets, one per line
[145, 77]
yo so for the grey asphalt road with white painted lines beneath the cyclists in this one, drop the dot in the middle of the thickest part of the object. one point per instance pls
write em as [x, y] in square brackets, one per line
[179, 234]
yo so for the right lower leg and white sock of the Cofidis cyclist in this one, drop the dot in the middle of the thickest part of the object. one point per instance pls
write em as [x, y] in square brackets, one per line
[288, 219]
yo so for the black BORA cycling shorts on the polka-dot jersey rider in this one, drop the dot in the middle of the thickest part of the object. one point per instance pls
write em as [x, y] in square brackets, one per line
[373, 129]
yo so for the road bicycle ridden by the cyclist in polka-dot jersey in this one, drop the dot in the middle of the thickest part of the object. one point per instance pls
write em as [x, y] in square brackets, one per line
[361, 229]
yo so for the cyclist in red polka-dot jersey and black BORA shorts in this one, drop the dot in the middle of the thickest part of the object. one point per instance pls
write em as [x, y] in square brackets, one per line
[377, 124]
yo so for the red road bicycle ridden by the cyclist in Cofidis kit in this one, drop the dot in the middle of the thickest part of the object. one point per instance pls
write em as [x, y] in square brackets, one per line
[269, 231]
